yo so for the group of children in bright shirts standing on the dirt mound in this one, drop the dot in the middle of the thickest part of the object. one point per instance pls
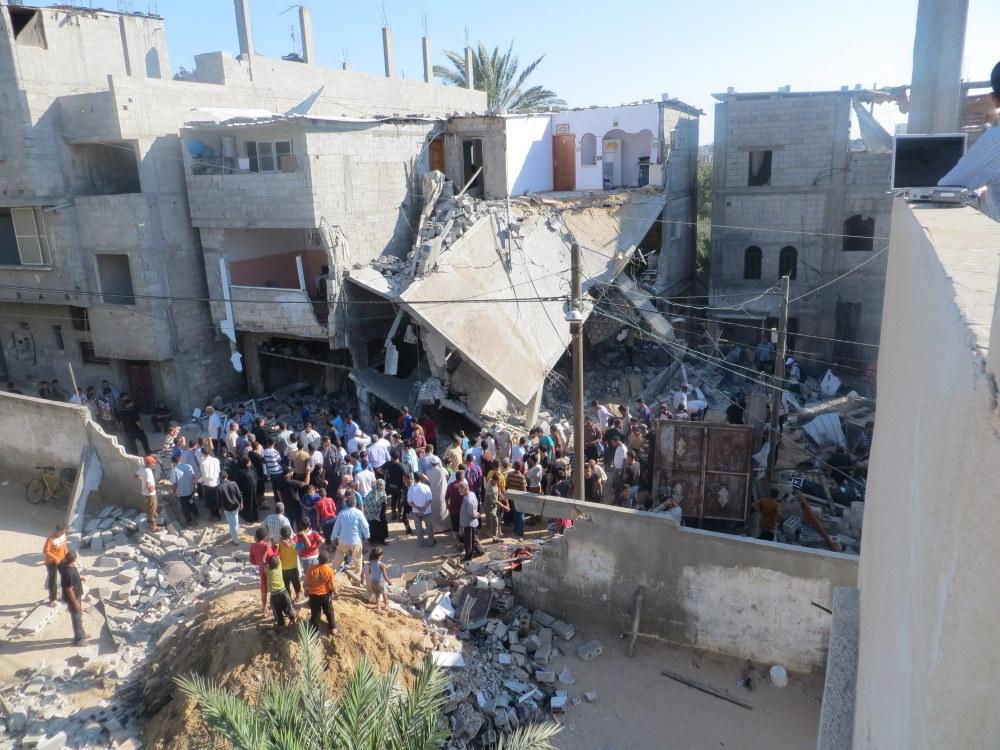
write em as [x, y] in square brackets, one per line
[299, 564]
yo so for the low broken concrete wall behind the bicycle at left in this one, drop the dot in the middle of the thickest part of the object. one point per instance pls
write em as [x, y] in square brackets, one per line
[39, 432]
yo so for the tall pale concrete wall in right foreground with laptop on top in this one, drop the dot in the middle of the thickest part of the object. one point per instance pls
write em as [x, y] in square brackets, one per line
[928, 660]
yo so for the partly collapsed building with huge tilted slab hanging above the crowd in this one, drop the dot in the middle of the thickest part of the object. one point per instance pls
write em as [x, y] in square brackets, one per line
[397, 252]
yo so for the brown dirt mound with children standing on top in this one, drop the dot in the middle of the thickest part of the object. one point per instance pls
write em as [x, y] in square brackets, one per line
[227, 641]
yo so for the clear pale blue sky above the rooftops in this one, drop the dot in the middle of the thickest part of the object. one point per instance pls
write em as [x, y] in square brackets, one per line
[605, 53]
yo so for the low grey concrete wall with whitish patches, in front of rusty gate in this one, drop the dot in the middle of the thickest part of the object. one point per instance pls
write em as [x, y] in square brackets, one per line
[731, 595]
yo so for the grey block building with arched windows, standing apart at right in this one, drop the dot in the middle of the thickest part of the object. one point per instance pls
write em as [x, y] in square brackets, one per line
[795, 194]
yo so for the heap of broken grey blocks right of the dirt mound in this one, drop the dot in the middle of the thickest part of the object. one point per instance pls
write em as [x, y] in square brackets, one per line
[513, 669]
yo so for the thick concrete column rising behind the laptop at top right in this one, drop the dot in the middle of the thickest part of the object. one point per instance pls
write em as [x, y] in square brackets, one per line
[936, 93]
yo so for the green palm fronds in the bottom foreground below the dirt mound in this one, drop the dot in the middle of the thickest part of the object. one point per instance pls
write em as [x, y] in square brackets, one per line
[371, 712]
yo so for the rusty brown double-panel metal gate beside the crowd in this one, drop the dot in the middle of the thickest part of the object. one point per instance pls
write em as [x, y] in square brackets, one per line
[705, 467]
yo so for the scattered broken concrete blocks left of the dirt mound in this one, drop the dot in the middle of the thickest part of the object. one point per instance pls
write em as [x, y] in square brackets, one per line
[143, 585]
